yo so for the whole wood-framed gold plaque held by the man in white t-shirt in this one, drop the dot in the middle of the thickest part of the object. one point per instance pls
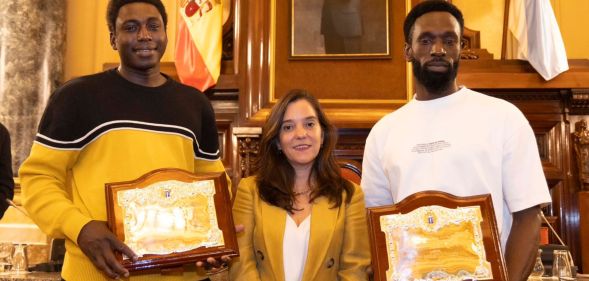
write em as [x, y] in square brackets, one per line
[436, 236]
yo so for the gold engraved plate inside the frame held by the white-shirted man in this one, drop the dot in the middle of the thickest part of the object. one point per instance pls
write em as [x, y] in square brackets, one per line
[436, 243]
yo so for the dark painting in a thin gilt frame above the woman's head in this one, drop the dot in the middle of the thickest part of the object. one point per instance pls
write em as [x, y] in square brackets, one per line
[336, 29]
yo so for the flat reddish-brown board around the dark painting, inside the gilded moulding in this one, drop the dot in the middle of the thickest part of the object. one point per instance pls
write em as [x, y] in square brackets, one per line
[348, 79]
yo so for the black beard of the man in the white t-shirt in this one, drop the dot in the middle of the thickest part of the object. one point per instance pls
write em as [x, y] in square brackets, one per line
[435, 82]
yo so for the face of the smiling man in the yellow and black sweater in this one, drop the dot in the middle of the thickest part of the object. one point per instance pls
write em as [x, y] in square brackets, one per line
[139, 36]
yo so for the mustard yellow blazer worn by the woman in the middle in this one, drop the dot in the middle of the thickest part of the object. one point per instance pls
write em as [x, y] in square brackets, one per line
[338, 244]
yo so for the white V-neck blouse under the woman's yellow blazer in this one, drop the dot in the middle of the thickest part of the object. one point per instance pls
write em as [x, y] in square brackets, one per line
[295, 246]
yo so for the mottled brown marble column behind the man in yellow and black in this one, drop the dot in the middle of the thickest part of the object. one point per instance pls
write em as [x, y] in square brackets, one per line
[32, 45]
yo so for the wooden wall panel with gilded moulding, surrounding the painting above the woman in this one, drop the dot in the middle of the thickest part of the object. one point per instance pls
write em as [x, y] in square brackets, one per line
[355, 92]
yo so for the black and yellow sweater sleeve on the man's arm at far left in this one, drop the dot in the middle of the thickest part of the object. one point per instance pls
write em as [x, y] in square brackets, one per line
[45, 174]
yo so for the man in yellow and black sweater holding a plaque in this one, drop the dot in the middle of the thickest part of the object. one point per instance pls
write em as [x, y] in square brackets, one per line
[110, 127]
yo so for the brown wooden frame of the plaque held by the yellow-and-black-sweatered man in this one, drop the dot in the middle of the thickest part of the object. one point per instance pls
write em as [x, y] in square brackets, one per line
[222, 209]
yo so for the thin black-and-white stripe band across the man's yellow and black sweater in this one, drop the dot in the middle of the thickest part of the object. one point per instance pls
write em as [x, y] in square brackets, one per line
[103, 128]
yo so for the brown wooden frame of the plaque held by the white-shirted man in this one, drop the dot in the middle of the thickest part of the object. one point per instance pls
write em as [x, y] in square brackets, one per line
[490, 233]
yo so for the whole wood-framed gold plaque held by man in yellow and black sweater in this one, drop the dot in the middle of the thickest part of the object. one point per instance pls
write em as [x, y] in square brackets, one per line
[171, 217]
